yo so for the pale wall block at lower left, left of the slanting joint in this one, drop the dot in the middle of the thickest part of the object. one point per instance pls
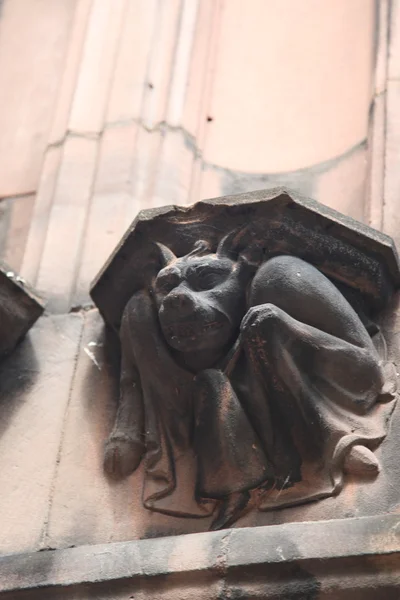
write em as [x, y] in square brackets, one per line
[35, 386]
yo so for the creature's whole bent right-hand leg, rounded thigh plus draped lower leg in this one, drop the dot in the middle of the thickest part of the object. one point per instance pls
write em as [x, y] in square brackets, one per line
[310, 350]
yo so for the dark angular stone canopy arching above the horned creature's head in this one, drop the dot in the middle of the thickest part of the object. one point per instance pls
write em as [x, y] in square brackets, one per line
[284, 222]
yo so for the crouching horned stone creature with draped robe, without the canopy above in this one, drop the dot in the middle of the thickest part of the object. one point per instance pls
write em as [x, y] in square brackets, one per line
[245, 381]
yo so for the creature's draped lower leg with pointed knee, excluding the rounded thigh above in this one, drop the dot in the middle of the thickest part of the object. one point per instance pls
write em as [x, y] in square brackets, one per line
[306, 371]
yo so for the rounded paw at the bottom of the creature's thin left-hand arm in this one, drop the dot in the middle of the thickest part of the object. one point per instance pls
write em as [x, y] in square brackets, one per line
[122, 455]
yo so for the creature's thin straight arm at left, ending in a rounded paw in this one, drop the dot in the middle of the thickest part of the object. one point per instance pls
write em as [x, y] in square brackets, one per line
[125, 445]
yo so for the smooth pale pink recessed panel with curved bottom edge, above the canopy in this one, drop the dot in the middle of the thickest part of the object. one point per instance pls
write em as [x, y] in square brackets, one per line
[285, 94]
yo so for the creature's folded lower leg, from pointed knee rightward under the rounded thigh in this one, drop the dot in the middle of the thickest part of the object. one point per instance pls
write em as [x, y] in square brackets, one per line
[296, 356]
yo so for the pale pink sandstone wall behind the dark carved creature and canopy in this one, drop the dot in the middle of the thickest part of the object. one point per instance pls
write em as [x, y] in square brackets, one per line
[110, 106]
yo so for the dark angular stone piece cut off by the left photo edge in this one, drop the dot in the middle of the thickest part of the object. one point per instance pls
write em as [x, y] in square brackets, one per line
[20, 307]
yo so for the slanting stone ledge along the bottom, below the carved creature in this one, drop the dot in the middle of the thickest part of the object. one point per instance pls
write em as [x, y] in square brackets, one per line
[313, 559]
